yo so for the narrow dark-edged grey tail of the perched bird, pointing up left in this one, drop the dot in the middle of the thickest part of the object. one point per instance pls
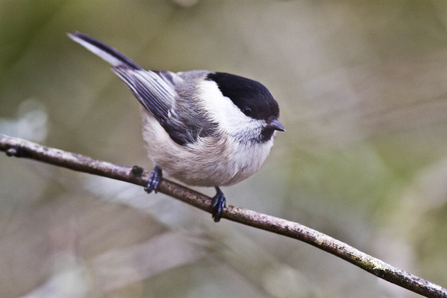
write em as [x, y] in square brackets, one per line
[104, 51]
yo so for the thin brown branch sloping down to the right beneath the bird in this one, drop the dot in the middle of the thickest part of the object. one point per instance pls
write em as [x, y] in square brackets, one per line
[136, 175]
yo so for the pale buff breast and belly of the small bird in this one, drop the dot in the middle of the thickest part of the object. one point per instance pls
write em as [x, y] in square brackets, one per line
[216, 160]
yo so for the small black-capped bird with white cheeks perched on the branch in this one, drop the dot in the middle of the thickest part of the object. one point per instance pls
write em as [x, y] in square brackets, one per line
[203, 128]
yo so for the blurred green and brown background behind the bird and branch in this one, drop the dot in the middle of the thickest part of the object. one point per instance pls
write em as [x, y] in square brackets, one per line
[363, 96]
